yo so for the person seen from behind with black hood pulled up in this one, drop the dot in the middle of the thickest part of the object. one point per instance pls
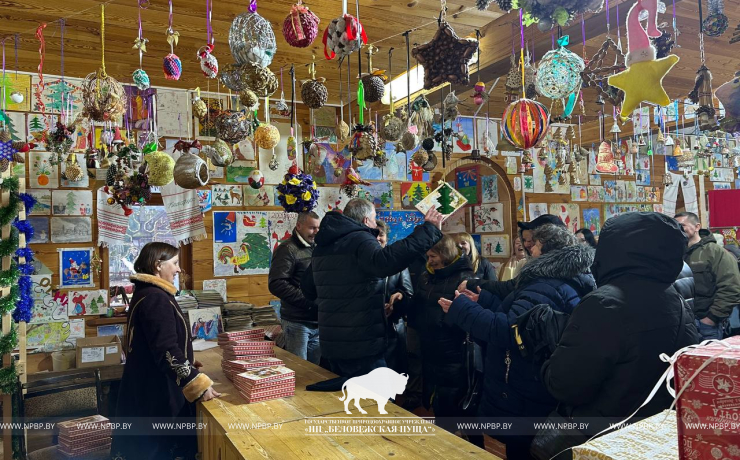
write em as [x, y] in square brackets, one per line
[607, 361]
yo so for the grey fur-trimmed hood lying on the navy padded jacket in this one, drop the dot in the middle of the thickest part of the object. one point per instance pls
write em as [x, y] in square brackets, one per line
[566, 263]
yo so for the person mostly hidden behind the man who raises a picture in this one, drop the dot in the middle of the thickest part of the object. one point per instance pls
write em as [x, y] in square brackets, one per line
[398, 293]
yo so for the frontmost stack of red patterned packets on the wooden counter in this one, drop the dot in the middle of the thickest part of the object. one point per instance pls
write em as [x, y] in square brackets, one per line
[265, 383]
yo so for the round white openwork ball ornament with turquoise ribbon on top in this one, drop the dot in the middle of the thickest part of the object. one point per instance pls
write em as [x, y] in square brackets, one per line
[559, 72]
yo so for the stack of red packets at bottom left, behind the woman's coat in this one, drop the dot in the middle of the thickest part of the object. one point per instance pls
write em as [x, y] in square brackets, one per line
[84, 436]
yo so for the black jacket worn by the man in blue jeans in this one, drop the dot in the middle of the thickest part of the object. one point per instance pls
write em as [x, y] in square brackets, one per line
[289, 263]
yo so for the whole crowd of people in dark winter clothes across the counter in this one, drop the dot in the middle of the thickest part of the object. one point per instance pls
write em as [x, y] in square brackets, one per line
[569, 329]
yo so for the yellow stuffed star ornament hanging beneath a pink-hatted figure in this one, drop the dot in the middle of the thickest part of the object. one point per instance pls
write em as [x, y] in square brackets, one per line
[643, 81]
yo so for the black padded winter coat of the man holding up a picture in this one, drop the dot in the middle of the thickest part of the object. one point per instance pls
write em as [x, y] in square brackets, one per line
[347, 280]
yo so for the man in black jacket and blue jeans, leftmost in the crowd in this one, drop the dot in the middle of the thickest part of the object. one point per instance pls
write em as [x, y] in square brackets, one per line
[299, 315]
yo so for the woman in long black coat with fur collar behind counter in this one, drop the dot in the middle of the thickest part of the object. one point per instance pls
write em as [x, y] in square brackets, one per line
[161, 381]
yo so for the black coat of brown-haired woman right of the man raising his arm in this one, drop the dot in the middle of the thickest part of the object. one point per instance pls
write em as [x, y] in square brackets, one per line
[443, 345]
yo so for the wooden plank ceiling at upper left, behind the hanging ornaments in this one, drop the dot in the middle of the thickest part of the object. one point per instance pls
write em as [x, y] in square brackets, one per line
[384, 22]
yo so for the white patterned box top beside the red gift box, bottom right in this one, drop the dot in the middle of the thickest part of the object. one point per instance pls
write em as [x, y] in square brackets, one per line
[653, 438]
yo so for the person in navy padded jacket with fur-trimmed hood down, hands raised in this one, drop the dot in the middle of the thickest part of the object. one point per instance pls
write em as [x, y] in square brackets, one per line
[558, 276]
